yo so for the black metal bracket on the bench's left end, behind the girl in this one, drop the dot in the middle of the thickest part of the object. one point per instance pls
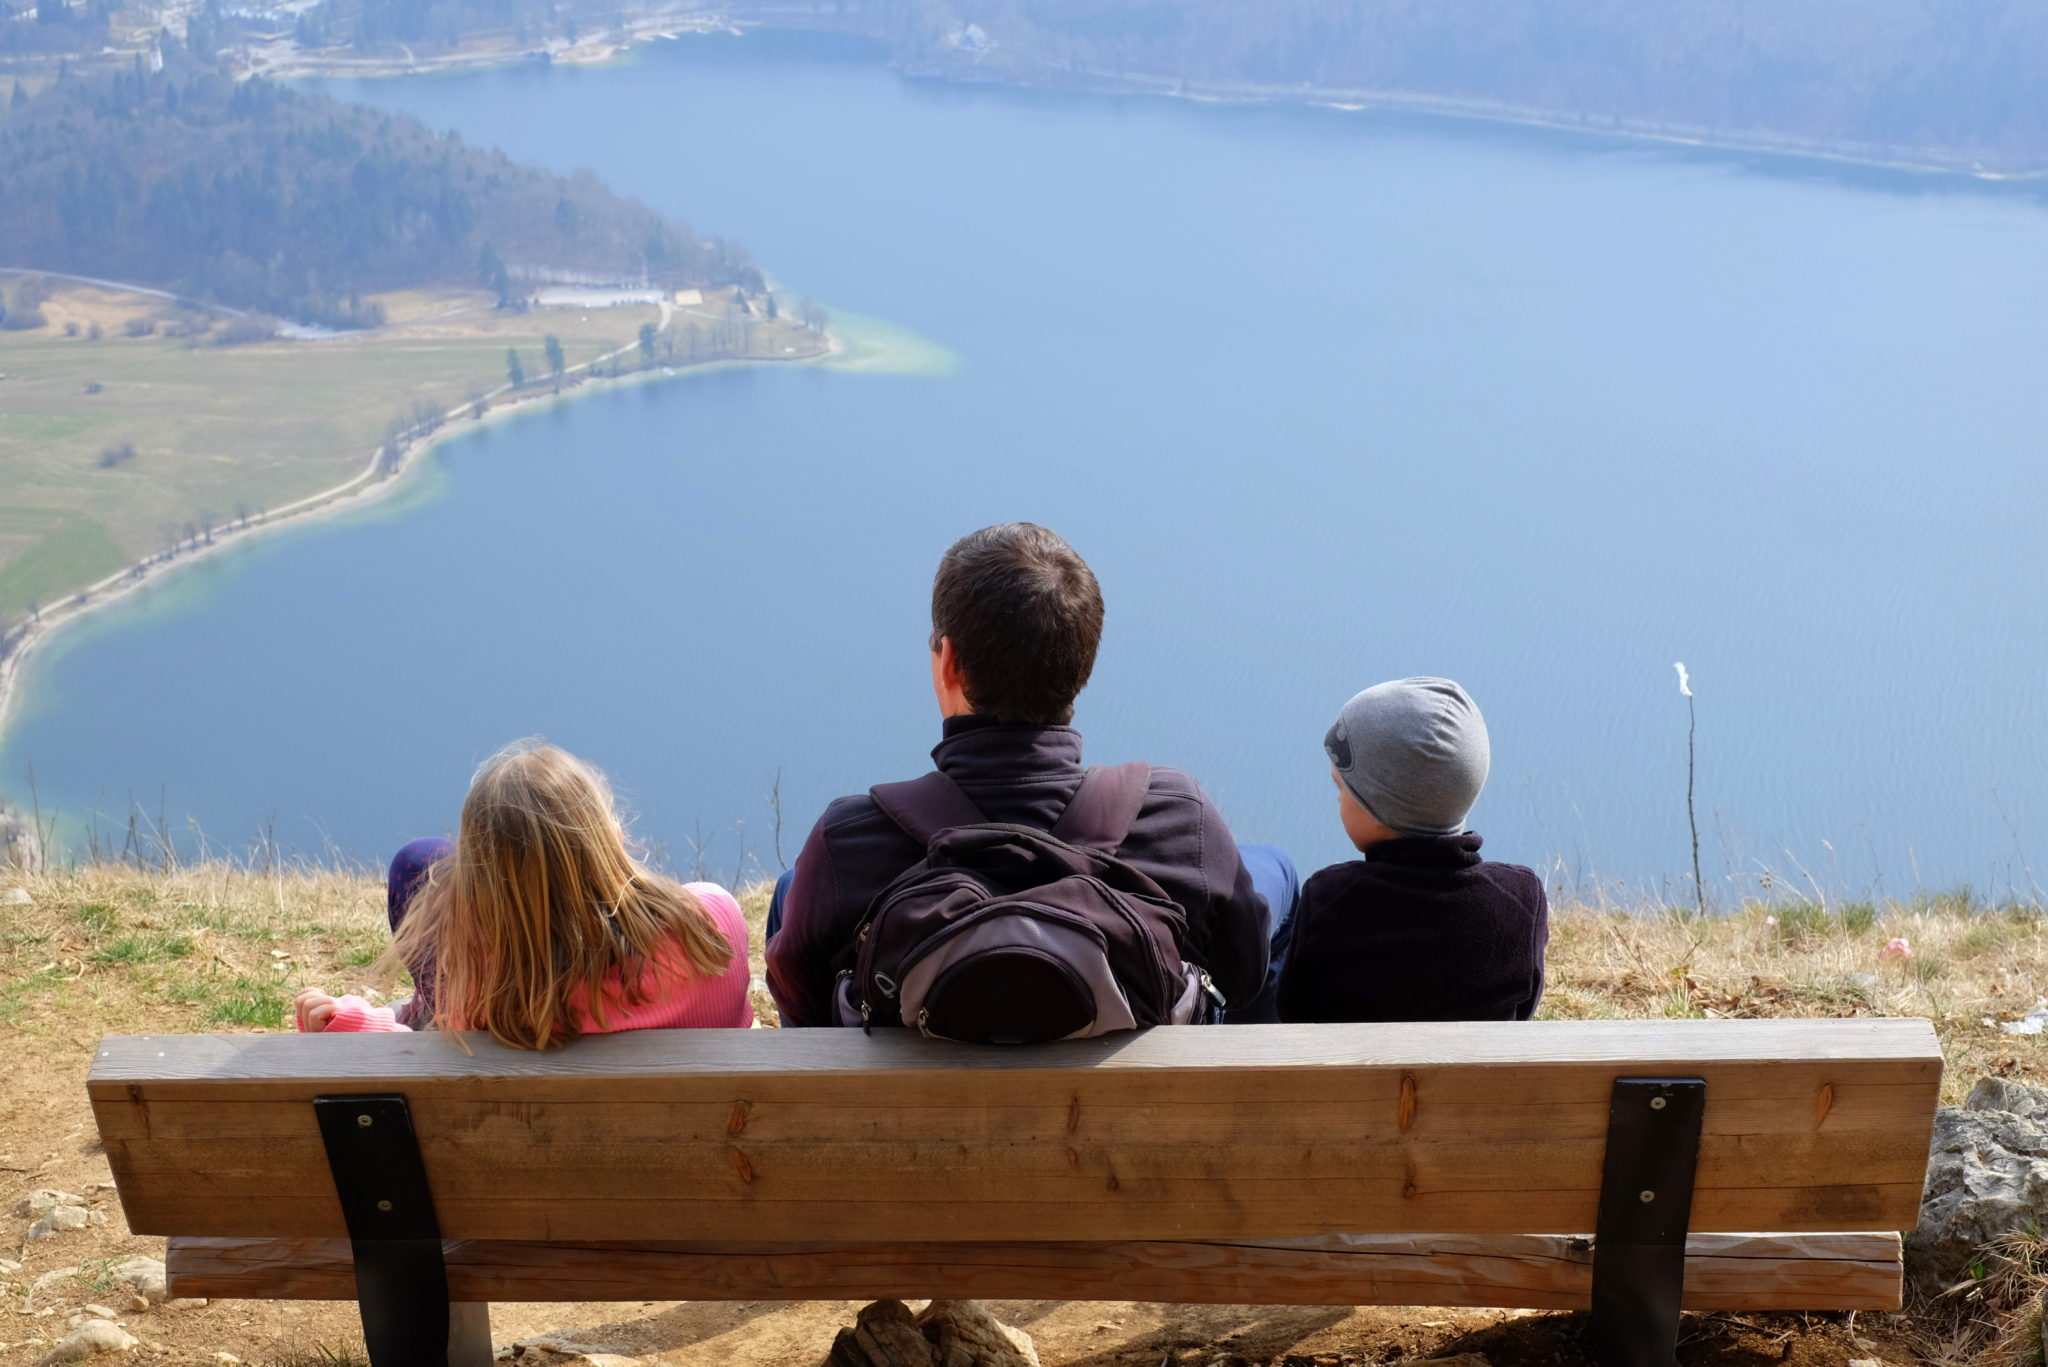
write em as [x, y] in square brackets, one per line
[402, 1282]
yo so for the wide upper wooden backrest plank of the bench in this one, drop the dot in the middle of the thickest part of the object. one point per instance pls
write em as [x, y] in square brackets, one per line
[1172, 1134]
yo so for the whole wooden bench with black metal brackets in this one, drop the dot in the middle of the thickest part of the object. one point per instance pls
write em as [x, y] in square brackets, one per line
[1457, 1165]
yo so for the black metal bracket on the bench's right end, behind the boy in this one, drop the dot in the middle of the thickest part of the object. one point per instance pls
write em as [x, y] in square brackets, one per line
[1646, 1210]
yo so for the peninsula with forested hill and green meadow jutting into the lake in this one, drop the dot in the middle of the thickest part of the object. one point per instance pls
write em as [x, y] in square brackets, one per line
[230, 304]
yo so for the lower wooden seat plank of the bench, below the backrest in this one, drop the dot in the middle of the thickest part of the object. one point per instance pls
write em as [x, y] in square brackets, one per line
[1723, 1272]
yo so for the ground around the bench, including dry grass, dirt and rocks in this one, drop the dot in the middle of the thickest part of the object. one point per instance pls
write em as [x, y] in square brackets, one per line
[218, 950]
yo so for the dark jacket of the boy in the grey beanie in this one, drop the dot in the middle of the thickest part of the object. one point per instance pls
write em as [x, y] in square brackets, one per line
[1420, 929]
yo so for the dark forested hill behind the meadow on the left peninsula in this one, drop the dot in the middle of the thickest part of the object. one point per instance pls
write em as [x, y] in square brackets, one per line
[265, 198]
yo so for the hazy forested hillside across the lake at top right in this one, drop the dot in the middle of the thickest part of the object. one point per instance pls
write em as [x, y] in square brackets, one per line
[1938, 81]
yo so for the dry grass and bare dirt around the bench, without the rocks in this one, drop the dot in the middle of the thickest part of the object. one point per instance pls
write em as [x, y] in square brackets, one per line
[118, 950]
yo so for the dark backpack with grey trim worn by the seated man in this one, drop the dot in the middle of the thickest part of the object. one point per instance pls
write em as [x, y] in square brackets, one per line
[1021, 936]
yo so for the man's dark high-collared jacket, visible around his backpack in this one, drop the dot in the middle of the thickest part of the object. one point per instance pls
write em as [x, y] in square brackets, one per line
[1023, 776]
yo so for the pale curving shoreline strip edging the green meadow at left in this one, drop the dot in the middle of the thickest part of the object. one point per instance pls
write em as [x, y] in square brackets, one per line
[370, 487]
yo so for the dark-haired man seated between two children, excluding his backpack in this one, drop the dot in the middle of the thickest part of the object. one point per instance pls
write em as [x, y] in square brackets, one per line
[1017, 618]
